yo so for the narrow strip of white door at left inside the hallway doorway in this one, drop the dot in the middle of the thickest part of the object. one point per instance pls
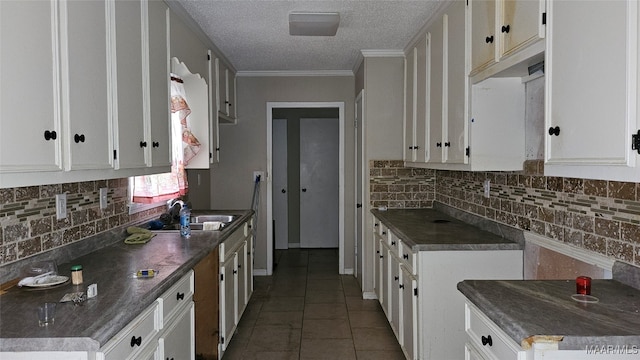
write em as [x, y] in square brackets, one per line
[279, 173]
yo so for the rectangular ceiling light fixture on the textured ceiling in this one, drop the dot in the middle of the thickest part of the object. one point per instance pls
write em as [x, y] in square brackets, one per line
[313, 23]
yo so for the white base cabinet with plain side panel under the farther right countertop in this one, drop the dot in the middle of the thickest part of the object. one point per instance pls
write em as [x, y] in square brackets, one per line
[417, 290]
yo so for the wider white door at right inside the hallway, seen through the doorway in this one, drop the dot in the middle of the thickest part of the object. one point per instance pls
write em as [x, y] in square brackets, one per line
[319, 183]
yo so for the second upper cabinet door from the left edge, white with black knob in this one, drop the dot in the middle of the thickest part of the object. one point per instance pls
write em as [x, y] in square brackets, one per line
[86, 85]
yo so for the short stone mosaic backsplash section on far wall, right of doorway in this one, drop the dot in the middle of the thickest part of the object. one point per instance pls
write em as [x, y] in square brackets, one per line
[395, 186]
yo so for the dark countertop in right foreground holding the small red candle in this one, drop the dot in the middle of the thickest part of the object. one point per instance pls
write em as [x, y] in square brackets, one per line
[543, 310]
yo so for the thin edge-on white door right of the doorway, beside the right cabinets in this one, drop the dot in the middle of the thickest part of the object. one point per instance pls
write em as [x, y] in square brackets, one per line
[359, 156]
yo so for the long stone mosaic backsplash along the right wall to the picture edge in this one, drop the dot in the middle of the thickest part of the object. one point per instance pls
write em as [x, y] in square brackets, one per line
[600, 216]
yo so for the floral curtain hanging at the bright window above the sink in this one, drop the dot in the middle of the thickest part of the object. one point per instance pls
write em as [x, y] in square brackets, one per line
[184, 146]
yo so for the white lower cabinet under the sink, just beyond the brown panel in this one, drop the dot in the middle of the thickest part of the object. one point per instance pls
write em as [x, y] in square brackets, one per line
[236, 281]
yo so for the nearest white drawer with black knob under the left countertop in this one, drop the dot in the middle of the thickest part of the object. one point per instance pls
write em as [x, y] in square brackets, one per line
[139, 335]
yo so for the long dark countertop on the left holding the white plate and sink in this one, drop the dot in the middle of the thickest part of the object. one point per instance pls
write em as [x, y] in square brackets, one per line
[120, 296]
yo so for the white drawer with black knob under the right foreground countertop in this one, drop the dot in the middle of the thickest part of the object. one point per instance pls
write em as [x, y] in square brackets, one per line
[485, 336]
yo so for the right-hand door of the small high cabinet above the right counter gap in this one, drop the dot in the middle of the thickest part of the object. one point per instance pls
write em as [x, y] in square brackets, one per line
[521, 23]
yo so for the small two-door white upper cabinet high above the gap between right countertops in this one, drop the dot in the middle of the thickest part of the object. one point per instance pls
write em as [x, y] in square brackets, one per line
[503, 34]
